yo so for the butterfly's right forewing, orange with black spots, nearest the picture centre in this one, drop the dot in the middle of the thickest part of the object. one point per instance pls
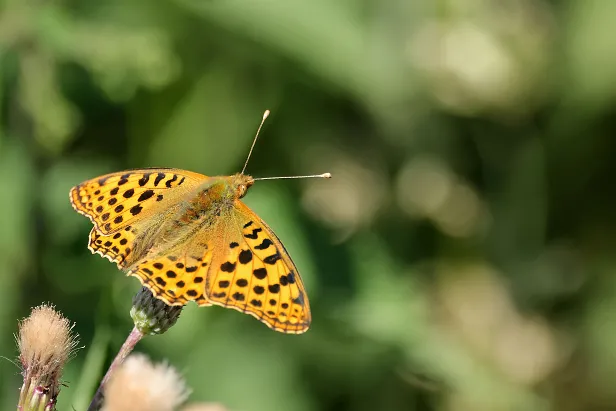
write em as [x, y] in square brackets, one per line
[256, 275]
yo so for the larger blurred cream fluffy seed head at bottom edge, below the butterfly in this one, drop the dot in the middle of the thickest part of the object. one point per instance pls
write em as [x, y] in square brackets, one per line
[139, 385]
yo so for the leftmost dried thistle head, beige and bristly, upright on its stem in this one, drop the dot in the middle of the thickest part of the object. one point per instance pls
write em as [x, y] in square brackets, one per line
[46, 342]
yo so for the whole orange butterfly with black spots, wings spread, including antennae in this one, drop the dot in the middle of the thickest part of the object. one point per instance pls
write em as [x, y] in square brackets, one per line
[189, 237]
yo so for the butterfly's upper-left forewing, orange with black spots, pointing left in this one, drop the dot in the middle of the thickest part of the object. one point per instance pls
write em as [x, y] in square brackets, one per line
[115, 201]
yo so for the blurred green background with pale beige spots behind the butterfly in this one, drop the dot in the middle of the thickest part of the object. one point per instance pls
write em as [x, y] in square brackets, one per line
[462, 257]
